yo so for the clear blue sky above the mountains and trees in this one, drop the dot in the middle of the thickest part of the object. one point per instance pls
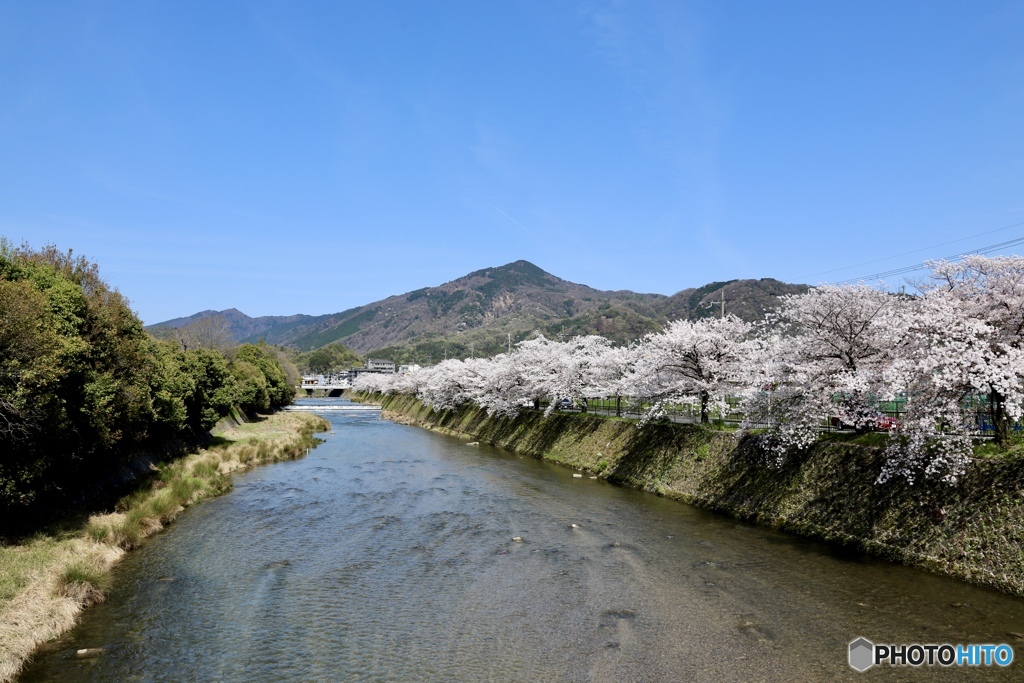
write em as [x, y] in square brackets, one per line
[310, 157]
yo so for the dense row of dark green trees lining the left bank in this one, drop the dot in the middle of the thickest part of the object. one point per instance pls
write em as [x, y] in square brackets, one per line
[83, 389]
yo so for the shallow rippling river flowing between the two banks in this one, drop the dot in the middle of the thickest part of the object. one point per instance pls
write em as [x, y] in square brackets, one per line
[388, 554]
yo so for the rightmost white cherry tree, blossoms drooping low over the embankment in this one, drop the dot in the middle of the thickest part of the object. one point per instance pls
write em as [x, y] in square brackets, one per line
[965, 348]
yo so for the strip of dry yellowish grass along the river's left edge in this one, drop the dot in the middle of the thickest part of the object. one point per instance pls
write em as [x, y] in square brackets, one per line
[47, 581]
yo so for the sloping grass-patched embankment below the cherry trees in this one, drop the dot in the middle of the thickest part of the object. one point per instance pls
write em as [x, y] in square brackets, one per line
[973, 531]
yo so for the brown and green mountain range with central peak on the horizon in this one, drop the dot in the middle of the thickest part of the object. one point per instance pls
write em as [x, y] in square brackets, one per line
[478, 314]
